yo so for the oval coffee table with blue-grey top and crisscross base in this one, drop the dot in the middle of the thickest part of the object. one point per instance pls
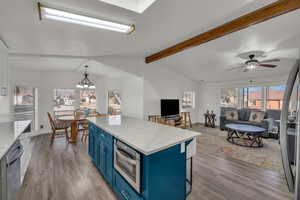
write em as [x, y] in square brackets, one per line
[245, 135]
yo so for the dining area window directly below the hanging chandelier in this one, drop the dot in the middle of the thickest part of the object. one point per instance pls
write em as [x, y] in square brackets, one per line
[88, 99]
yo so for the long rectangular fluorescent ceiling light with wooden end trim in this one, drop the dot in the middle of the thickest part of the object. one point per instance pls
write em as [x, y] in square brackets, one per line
[64, 16]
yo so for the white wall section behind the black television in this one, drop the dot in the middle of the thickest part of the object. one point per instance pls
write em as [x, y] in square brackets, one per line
[162, 83]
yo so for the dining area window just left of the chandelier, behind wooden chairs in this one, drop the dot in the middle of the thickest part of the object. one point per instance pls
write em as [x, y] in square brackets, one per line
[64, 102]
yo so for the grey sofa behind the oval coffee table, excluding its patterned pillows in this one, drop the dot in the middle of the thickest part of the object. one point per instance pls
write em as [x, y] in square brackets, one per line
[243, 118]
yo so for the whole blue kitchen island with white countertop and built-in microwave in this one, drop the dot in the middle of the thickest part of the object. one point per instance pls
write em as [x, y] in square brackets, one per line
[139, 159]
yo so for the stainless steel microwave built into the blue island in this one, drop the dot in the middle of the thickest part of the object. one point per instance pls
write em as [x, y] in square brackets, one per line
[127, 163]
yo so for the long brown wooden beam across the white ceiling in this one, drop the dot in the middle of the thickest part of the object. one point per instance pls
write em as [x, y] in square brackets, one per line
[270, 11]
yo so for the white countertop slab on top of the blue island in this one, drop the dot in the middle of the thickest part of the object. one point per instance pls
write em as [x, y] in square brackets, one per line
[144, 136]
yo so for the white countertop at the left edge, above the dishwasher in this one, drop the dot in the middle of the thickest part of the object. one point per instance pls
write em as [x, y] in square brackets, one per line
[9, 133]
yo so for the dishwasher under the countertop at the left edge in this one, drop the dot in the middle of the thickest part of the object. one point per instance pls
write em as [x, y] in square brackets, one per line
[10, 175]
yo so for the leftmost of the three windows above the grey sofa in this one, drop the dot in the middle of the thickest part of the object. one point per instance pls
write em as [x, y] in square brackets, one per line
[229, 97]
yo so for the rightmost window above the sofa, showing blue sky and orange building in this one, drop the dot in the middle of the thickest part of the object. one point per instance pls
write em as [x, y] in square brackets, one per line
[275, 97]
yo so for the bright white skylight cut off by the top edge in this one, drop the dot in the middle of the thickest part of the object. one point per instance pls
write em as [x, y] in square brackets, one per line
[138, 6]
